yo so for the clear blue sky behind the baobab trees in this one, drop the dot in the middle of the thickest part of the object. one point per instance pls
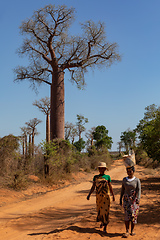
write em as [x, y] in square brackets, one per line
[115, 97]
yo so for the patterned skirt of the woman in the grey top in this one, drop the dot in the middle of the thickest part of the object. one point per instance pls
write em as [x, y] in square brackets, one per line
[131, 207]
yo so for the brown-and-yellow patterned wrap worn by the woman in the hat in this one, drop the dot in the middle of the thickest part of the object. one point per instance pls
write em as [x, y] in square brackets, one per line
[102, 201]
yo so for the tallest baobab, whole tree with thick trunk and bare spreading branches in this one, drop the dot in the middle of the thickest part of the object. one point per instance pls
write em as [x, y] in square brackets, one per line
[52, 50]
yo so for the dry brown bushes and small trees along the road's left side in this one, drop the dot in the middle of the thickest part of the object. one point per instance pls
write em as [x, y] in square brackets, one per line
[51, 161]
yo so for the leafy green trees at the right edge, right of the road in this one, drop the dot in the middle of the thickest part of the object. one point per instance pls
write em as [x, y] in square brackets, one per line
[146, 135]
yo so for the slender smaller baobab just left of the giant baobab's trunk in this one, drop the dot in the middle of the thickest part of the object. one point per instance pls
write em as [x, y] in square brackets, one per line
[44, 105]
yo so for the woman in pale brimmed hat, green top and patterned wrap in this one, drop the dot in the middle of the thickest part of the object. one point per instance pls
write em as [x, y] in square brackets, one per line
[102, 183]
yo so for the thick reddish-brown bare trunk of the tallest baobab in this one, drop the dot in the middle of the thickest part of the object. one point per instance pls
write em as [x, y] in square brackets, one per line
[57, 106]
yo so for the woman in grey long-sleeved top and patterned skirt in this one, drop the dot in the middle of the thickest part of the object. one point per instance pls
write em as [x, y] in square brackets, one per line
[131, 193]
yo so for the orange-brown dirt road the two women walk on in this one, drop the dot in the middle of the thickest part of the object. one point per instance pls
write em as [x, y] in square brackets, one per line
[66, 214]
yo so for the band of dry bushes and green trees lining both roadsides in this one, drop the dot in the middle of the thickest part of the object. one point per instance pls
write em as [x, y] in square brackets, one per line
[54, 161]
